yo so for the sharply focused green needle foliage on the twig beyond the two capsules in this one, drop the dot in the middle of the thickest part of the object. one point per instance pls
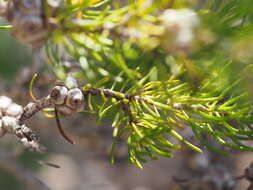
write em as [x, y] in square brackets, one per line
[153, 113]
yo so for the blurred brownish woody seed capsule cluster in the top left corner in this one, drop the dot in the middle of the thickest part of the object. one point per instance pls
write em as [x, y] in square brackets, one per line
[26, 18]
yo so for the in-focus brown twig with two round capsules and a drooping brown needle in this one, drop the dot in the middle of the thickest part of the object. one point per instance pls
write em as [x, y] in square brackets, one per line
[30, 139]
